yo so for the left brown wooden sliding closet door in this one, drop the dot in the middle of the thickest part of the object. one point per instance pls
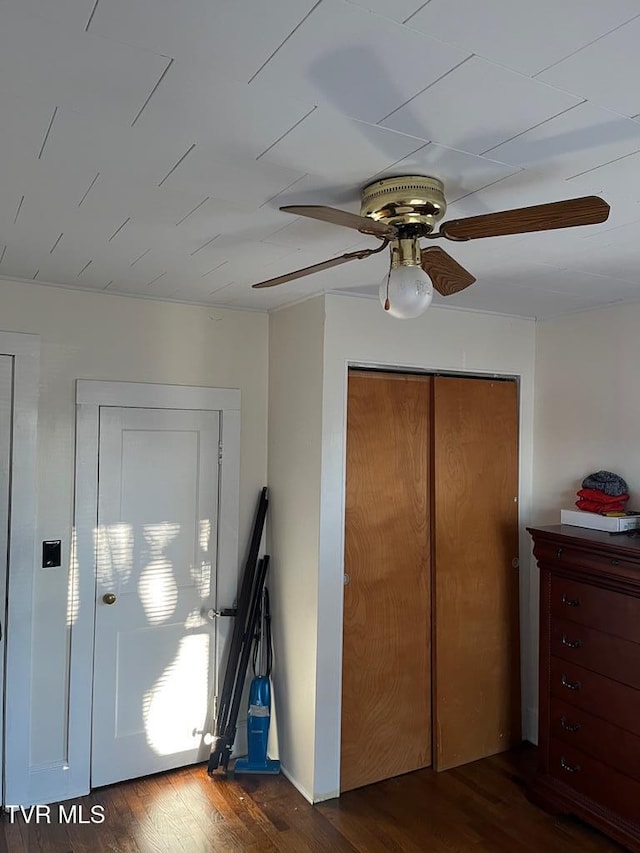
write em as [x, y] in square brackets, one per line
[386, 701]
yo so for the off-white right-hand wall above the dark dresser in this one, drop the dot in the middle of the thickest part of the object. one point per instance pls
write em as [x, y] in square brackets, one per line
[587, 415]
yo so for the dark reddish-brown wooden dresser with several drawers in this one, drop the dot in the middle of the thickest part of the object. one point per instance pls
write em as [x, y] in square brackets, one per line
[589, 702]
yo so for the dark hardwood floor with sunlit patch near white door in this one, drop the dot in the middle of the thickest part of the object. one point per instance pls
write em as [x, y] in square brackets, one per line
[479, 807]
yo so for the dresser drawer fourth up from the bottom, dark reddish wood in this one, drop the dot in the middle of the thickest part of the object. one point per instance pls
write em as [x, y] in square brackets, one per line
[611, 656]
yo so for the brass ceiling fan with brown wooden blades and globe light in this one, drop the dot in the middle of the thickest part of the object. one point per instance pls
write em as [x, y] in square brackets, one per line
[403, 210]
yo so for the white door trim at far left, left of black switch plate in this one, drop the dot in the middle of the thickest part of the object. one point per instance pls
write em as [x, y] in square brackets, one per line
[25, 350]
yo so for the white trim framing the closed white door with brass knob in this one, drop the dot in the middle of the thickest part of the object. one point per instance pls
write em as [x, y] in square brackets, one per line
[74, 778]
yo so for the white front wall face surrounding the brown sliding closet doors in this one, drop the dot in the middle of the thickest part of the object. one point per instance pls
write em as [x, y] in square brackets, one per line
[357, 331]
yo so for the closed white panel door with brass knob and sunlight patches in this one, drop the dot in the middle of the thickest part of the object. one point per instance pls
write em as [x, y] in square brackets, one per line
[155, 648]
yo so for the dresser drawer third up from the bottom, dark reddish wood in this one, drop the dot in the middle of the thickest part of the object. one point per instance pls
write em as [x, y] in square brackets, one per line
[600, 696]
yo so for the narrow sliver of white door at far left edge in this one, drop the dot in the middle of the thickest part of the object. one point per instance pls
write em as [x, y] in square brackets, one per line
[6, 398]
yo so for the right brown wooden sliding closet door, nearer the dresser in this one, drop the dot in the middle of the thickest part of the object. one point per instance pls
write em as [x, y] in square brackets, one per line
[476, 637]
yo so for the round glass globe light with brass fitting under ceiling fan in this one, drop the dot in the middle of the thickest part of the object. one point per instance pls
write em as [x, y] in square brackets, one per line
[406, 290]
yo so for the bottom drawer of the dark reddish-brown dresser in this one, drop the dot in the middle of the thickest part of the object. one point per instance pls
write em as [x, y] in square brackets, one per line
[595, 780]
